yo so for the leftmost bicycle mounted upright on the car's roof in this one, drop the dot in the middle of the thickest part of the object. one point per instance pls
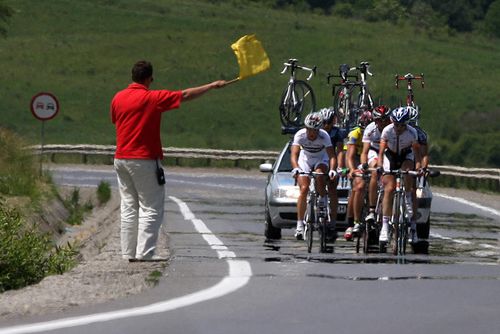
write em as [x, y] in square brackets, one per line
[298, 97]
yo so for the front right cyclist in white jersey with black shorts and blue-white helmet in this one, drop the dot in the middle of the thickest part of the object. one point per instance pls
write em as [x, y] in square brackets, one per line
[399, 148]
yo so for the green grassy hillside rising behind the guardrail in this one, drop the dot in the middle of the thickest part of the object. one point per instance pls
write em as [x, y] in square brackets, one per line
[82, 51]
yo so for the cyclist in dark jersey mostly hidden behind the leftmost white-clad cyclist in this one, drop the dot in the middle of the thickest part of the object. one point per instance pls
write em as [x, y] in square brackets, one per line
[337, 136]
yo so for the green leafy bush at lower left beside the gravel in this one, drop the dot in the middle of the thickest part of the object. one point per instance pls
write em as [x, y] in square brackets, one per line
[26, 255]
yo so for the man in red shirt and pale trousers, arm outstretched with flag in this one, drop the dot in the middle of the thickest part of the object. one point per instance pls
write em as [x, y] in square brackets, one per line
[136, 112]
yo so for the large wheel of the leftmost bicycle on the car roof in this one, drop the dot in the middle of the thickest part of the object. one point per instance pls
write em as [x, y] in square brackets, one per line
[297, 103]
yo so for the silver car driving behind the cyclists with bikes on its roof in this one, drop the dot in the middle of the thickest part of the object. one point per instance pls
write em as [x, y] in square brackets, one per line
[281, 195]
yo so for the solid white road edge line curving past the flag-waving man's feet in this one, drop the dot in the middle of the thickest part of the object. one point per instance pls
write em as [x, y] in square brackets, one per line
[238, 276]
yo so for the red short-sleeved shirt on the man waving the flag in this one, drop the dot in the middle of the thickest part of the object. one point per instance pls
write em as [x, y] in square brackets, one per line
[136, 113]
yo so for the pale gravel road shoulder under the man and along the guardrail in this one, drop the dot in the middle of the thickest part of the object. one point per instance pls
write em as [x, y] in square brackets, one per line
[102, 275]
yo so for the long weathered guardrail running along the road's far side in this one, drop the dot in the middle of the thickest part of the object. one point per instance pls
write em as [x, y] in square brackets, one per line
[201, 153]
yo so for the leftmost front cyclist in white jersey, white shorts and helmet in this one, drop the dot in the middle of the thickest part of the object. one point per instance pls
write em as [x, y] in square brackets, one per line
[311, 150]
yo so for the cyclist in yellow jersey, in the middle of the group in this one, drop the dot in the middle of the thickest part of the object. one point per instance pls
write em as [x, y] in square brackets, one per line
[354, 146]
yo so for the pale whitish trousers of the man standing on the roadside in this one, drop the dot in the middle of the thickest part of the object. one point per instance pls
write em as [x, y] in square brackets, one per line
[142, 206]
